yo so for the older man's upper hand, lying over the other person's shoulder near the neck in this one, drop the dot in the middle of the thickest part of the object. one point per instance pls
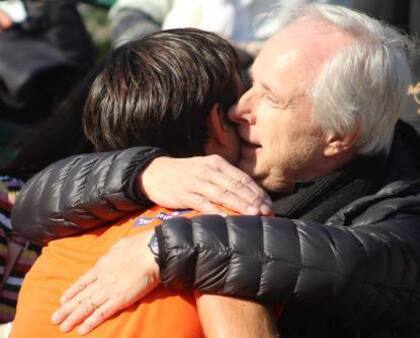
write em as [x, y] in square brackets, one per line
[201, 182]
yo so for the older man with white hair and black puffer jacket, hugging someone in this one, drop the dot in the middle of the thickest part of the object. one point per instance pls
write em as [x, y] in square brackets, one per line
[319, 129]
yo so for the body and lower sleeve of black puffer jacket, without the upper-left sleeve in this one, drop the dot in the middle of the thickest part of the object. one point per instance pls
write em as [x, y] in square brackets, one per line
[357, 275]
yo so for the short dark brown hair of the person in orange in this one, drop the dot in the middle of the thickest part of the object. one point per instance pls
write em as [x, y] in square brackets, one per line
[159, 90]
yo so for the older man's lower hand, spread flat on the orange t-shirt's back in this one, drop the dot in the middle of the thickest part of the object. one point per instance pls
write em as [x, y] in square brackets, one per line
[116, 282]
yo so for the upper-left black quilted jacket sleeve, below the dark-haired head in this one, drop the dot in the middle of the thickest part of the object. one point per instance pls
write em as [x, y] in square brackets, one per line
[79, 193]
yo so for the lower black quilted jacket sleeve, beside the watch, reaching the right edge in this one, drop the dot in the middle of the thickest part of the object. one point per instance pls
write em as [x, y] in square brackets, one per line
[366, 273]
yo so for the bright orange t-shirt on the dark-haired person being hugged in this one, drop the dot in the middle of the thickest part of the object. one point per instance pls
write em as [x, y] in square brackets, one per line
[163, 313]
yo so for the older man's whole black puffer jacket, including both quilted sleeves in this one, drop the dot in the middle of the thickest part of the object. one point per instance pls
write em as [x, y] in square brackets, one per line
[356, 276]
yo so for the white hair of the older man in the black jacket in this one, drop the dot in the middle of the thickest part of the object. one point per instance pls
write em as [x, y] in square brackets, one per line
[363, 87]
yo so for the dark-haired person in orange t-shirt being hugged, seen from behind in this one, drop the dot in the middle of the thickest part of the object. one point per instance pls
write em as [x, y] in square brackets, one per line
[134, 101]
